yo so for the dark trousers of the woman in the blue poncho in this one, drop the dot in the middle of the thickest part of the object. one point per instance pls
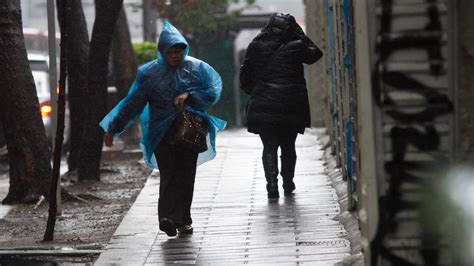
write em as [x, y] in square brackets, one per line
[177, 174]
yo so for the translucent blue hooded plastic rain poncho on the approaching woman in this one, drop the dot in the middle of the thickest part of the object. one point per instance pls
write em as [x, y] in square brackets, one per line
[152, 94]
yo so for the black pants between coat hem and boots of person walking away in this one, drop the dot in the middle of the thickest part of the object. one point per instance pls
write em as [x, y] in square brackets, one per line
[284, 139]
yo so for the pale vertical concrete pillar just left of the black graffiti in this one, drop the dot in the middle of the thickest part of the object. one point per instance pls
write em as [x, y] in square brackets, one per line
[368, 207]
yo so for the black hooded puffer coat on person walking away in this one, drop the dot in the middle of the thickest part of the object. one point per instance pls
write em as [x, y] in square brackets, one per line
[273, 75]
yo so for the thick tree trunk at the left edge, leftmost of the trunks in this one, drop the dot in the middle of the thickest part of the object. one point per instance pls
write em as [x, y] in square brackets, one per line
[28, 148]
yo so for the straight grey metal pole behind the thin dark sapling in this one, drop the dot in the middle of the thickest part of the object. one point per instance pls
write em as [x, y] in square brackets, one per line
[53, 81]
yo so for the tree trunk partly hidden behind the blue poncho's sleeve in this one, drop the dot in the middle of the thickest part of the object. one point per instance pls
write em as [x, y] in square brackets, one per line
[124, 68]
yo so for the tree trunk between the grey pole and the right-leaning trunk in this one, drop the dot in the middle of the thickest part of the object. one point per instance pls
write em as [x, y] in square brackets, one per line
[78, 53]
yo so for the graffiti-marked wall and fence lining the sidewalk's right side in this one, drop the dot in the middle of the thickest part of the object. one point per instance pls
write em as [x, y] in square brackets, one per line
[397, 82]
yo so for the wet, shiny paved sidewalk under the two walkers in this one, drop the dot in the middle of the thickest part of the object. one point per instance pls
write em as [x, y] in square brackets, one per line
[234, 222]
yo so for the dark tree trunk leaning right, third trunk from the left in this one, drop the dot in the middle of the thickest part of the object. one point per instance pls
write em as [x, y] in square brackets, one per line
[91, 151]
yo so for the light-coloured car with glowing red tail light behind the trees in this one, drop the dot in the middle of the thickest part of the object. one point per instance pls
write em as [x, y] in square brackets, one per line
[39, 64]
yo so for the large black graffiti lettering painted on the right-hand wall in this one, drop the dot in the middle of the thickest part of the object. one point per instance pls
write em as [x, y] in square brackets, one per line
[412, 126]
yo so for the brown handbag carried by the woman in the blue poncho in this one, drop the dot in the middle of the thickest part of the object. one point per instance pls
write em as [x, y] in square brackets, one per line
[191, 131]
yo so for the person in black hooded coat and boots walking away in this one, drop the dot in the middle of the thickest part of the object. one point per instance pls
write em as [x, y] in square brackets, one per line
[278, 107]
